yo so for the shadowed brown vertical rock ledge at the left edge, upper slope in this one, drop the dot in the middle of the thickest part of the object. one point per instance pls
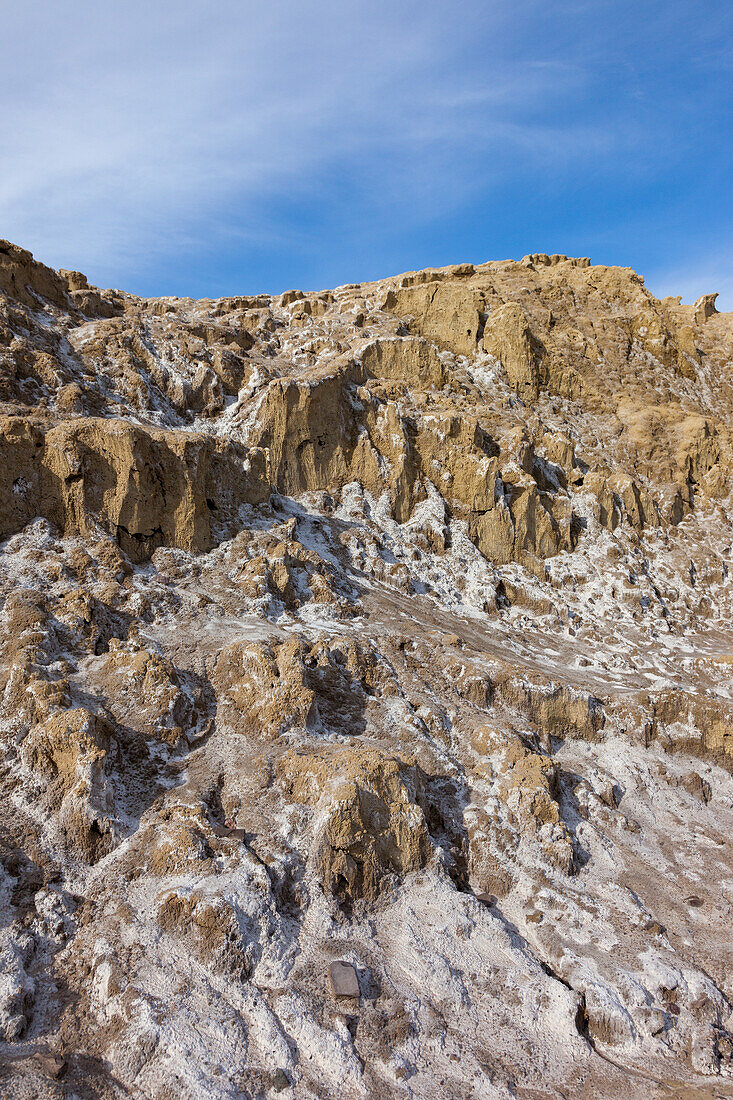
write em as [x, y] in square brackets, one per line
[146, 488]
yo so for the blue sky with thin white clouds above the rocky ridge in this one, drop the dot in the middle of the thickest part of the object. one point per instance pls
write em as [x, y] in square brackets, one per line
[236, 147]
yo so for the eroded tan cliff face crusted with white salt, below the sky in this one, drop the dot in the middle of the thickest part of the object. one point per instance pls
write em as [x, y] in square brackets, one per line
[386, 626]
